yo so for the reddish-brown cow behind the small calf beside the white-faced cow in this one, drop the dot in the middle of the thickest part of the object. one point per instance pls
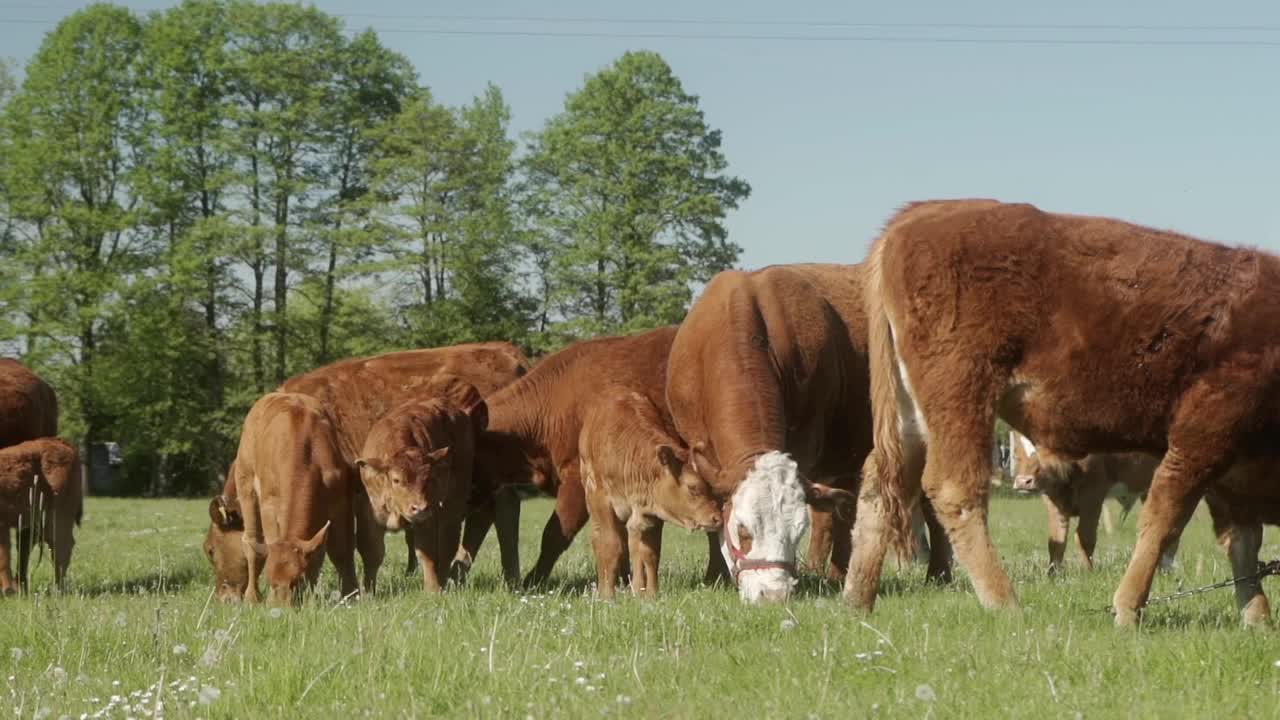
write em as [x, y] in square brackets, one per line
[534, 432]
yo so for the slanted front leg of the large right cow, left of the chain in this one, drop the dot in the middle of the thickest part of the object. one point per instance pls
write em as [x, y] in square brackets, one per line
[1176, 490]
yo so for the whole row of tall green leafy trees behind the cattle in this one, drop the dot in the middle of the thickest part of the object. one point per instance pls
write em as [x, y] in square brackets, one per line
[199, 203]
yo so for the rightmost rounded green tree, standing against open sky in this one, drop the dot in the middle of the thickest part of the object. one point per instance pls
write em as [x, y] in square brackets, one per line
[629, 185]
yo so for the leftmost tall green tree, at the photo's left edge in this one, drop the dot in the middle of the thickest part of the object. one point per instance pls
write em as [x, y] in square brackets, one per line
[72, 138]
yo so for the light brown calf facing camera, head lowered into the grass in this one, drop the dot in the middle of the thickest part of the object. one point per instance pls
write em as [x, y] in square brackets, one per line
[295, 487]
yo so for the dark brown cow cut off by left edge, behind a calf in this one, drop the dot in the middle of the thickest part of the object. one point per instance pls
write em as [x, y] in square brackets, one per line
[29, 411]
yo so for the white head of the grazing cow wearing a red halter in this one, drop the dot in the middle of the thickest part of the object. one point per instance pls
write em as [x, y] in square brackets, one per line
[764, 523]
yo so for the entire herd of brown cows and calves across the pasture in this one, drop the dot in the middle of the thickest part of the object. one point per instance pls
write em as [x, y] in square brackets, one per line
[790, 399]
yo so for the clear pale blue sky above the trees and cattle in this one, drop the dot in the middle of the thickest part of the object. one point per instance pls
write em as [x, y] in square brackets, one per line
[835, 135]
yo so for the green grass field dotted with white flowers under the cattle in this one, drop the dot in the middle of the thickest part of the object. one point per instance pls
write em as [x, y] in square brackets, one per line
[140, 627]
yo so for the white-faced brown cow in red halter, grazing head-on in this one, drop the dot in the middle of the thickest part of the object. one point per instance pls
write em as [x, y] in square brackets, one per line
[769, 385]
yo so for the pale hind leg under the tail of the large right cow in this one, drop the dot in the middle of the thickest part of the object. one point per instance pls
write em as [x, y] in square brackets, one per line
[871, 532]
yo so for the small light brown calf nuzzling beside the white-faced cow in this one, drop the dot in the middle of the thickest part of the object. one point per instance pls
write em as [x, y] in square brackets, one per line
[637, 477]
